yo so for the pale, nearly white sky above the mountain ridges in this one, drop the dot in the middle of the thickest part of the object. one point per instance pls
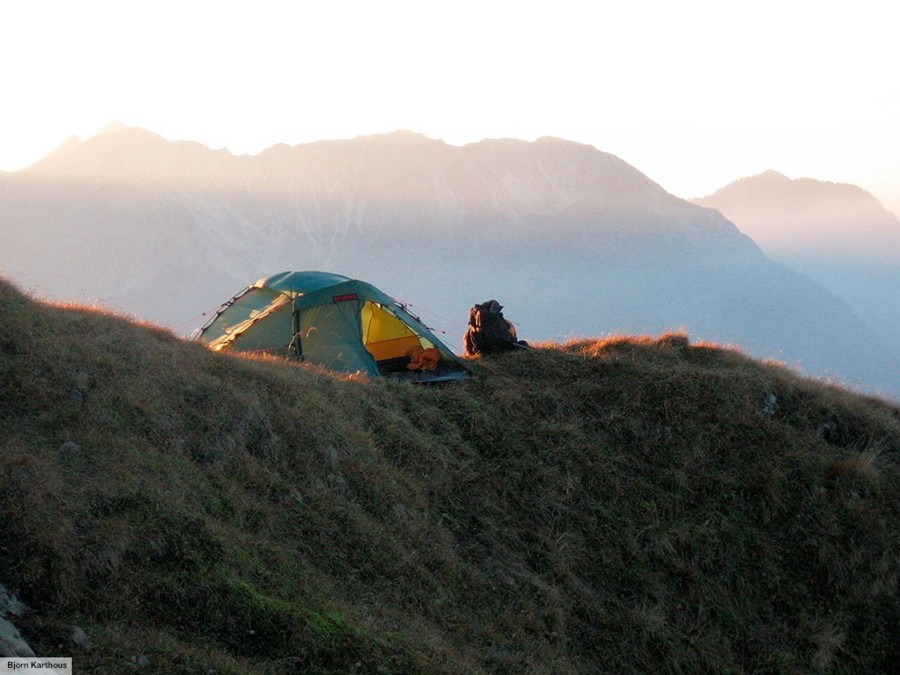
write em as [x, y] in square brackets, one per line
[694, 93]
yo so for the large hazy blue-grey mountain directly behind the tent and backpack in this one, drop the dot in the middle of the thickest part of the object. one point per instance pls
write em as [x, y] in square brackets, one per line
[573, 241]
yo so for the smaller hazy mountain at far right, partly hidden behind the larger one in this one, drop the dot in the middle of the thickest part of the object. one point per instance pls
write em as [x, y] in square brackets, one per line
[837, 234]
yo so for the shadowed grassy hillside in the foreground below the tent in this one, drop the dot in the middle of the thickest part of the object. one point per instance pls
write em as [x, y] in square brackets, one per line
[627, 505]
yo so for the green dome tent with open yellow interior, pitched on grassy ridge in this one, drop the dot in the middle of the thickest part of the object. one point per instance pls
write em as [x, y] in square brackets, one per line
[328, 320]
